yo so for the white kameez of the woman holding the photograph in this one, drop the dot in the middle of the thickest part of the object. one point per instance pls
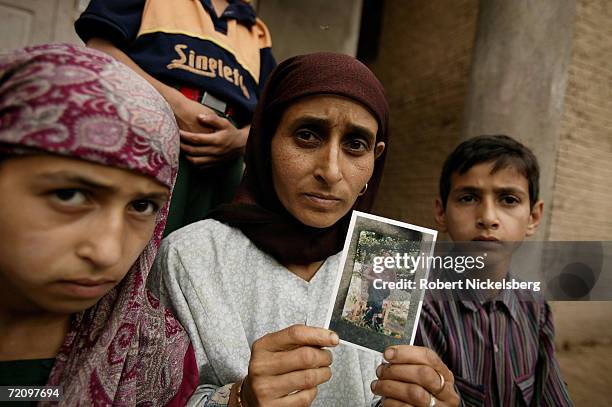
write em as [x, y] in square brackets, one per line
[227, 293]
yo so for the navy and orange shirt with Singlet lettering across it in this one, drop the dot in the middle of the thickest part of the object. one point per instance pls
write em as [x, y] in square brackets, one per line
[185, 43]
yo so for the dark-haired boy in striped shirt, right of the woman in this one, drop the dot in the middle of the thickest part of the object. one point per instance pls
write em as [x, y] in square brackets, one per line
[500, 348]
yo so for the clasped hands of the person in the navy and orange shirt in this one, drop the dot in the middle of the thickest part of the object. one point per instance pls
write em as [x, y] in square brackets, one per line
[223, 143]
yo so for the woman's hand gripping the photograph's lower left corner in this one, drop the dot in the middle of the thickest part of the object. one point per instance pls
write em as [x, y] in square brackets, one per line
[287, 366]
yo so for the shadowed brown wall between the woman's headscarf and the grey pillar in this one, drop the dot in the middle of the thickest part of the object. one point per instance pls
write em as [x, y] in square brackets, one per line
[423, 62]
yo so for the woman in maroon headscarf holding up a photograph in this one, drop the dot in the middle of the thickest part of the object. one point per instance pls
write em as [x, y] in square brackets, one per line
[251, 284]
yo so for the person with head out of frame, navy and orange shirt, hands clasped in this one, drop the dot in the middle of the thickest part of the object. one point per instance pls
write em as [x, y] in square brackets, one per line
[209, 59]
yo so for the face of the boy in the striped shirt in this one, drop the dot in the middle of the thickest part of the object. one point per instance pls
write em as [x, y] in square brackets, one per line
[489, 206]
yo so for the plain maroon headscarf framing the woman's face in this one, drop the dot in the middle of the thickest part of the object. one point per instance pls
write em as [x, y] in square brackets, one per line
[256, 210]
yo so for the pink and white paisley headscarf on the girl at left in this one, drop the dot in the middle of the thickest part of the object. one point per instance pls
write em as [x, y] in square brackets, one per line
[77, 102]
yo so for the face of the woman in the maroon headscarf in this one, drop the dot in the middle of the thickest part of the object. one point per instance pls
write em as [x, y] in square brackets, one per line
[323, 155]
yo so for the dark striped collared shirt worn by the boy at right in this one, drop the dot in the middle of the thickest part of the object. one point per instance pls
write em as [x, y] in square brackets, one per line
[501, 351]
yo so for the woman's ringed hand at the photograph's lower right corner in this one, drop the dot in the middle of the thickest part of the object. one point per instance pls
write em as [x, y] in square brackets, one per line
[414, 376]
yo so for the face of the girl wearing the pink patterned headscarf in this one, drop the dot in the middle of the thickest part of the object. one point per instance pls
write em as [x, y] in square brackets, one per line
[70, 230]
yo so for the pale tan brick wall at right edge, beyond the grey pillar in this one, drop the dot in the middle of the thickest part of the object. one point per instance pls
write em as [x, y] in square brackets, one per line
[582, 198]
